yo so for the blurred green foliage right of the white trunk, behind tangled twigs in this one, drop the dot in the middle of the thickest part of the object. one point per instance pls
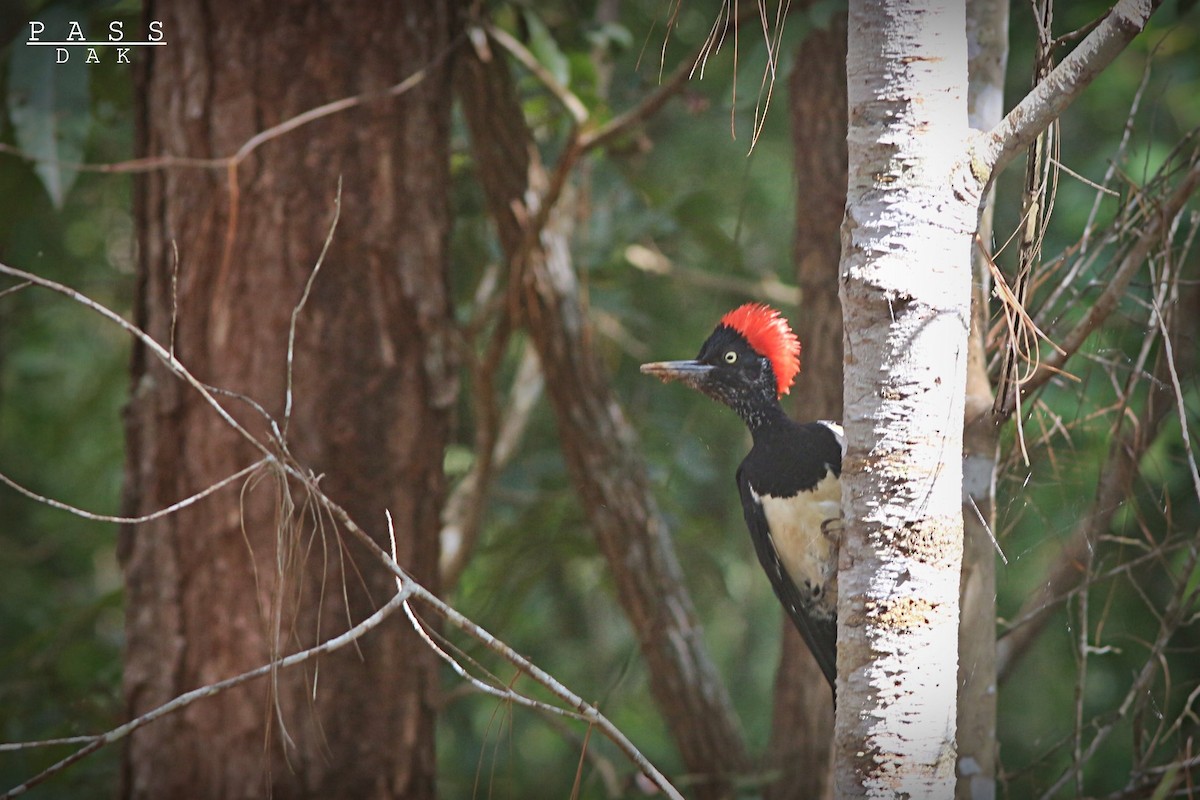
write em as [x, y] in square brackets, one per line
[1072, 429]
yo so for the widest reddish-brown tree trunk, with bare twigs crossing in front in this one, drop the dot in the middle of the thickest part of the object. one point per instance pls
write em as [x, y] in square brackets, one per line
[223, 586]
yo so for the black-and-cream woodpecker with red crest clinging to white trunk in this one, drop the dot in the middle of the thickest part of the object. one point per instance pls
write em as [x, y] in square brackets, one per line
[790, 480]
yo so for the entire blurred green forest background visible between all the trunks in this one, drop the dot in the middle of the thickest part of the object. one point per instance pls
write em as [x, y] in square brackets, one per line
[682, 187]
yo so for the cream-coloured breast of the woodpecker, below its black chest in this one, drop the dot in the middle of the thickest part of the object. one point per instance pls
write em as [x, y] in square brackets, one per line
[805, 533]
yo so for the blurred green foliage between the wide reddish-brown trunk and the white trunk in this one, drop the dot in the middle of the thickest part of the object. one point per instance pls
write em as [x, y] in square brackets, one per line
[683, 188]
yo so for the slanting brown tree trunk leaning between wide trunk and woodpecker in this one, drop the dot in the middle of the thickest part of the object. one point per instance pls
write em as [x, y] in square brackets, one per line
[598, 443]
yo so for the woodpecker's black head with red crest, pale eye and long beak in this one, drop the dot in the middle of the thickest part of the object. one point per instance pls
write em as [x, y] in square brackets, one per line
[752, 358]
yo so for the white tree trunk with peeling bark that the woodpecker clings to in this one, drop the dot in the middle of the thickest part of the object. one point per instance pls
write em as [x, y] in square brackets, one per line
[907, 305]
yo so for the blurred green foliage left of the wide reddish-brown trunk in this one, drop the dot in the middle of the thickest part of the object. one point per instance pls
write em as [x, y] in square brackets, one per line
[63, 383]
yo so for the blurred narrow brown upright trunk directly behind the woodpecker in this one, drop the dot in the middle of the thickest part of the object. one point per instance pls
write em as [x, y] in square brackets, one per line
[803, 714]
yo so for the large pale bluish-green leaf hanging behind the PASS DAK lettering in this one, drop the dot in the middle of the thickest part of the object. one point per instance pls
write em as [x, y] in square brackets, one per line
[49, 105]
